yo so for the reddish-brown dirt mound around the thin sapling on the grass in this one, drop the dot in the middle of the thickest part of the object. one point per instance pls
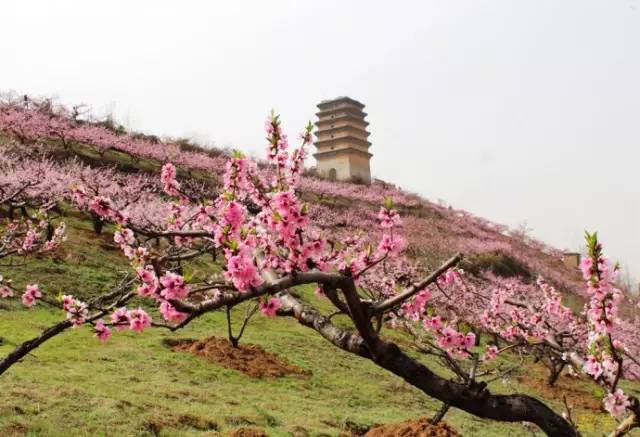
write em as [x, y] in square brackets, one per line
[250, 359]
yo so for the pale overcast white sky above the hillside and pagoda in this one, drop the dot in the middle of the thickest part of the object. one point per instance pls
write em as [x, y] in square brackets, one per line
[514, 110]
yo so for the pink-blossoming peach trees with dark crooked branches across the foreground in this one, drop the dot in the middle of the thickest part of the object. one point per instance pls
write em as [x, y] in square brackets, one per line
[264, 240]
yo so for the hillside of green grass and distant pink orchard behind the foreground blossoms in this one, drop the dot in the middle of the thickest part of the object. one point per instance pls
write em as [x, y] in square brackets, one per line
[140, 386]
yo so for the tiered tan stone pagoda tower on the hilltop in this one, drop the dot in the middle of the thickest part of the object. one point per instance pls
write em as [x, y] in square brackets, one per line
[343, 148]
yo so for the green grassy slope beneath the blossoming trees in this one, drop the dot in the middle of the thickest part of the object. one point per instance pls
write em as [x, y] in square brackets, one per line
[134, 385]
